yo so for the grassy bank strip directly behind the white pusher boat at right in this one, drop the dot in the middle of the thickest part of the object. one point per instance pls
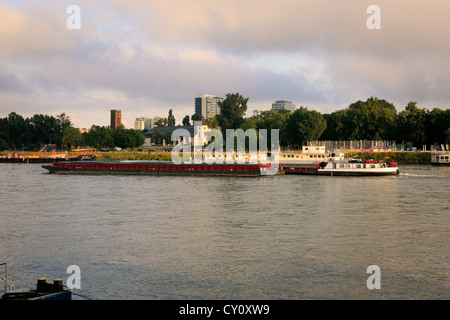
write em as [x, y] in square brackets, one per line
[405, 157]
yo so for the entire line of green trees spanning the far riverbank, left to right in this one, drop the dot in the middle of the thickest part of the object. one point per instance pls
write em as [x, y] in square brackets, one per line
[373, 119]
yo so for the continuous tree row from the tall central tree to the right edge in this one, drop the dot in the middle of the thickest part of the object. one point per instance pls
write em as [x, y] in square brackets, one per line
[373, 119]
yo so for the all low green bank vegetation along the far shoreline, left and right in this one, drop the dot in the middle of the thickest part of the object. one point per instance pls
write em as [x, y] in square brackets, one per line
[400, 157]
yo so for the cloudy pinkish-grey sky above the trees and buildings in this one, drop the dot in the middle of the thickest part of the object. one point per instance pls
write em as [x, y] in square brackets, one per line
[146, 57]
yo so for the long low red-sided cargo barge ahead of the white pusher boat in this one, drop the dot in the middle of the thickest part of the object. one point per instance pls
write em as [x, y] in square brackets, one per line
[155, 168]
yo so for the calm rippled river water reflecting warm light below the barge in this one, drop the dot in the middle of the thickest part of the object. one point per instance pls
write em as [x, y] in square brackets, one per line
[280, 237]
